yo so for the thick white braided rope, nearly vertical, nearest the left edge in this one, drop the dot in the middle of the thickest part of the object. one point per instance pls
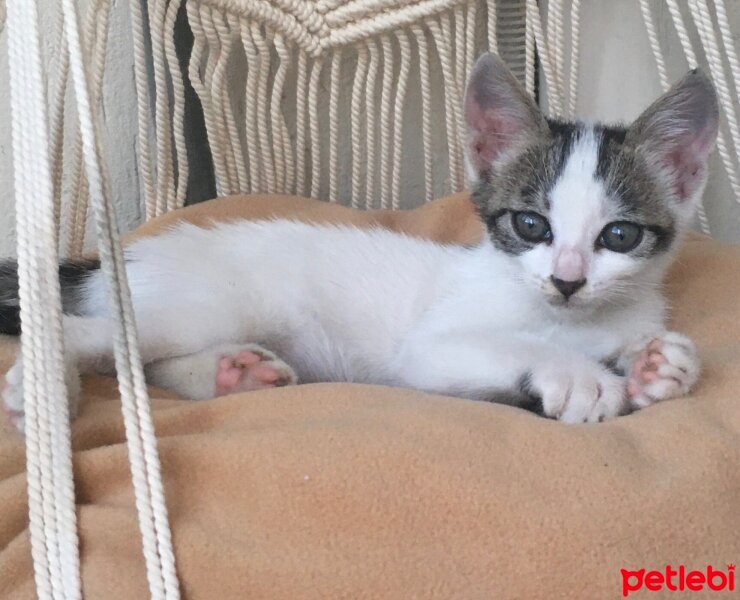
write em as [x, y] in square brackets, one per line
[52, 518]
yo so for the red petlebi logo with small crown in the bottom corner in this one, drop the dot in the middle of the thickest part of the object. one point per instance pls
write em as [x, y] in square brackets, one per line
[679, 579]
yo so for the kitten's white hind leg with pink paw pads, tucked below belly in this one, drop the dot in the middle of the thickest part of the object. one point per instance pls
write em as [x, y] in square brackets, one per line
[220, 370]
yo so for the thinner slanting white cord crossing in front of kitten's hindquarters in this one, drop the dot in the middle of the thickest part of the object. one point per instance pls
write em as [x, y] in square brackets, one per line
[142, 444]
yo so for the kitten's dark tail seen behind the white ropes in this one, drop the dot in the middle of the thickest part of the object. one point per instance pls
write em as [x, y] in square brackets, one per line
[72, 276]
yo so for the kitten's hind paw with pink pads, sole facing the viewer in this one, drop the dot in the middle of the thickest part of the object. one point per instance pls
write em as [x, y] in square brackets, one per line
[252, 368]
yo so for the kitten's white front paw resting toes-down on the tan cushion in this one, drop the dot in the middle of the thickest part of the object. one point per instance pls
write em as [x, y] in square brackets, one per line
[578, 391]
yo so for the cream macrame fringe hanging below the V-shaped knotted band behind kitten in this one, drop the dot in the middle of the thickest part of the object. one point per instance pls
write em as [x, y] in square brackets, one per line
[255, 146]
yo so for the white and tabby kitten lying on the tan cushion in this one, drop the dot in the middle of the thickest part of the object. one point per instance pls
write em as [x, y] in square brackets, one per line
[559, 308]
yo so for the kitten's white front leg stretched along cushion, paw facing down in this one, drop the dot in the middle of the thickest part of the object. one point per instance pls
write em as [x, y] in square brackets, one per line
[568, 385]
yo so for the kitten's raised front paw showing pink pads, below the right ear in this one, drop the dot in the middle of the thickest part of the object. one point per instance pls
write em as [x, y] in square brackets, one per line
[667, 367]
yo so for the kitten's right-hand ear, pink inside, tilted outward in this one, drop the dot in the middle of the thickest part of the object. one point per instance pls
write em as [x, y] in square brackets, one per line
[676, 134]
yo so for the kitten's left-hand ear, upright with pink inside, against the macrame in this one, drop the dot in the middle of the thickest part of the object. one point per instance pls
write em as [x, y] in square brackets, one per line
[502, 118]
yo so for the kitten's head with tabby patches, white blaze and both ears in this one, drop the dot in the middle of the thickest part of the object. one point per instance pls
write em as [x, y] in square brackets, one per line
[587, 213]
